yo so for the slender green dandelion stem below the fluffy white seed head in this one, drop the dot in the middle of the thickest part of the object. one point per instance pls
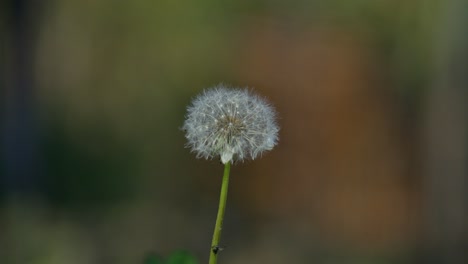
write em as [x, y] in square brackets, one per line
[214, 250]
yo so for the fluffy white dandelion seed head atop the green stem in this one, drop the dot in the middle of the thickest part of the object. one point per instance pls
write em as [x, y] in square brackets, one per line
[233, 124]
